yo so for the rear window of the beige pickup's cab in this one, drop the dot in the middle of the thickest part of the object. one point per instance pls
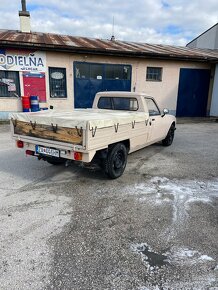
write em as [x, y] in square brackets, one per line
[117, 103]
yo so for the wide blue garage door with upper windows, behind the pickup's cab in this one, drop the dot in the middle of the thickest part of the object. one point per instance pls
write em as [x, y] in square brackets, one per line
[90, 78]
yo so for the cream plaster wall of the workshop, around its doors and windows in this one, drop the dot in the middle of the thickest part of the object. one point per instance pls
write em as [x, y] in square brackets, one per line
[165, 92]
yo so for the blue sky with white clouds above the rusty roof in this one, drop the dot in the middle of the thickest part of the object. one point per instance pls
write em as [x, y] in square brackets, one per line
[161, 21]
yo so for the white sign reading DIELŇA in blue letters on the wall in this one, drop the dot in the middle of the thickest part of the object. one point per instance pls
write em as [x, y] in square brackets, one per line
[18, 61]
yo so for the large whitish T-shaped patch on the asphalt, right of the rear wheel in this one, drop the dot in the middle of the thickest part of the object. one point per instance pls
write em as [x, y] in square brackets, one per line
[180, 194]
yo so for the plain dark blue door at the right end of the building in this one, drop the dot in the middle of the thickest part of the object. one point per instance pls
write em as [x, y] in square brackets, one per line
[193, 92]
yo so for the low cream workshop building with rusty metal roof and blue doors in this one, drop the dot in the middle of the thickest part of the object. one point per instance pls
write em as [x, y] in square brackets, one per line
[66, 72]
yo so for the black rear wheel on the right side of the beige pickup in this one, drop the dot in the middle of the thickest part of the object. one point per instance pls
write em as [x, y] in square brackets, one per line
[116, 160]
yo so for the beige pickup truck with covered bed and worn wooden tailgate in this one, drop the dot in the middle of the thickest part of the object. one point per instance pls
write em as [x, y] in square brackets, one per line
[118, 124]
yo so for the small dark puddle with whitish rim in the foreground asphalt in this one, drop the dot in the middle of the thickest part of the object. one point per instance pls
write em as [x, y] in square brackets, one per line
[154, 260]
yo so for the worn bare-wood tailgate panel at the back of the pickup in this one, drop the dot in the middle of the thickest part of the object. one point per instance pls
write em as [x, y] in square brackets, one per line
[68, 135]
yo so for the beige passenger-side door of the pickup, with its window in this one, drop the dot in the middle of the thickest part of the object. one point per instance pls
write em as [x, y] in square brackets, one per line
[155, 122]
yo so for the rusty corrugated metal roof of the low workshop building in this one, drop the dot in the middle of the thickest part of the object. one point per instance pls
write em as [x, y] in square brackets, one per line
[67, 43]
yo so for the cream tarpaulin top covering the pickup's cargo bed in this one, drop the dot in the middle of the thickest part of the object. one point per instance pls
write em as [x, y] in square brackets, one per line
[81, 118]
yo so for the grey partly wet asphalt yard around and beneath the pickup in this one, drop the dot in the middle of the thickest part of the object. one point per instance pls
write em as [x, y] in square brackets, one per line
[72, 228]
